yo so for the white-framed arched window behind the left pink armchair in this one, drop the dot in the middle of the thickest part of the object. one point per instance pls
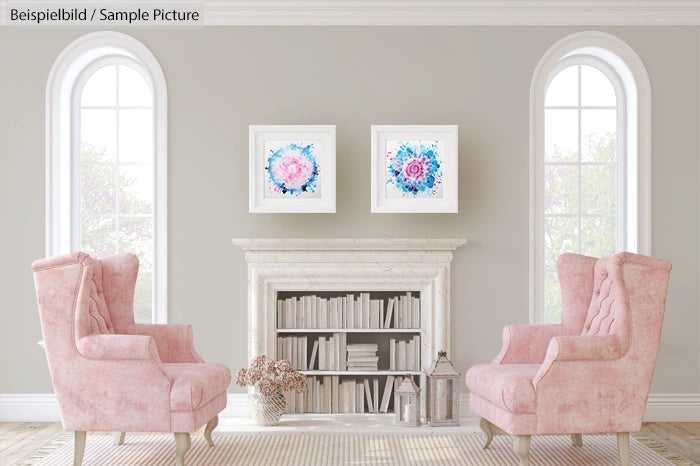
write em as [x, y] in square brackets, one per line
[106, 158]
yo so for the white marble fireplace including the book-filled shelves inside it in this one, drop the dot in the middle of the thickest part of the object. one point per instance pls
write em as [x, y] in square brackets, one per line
[316, 274]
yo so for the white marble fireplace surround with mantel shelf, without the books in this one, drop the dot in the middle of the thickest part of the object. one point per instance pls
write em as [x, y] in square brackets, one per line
[349, 265]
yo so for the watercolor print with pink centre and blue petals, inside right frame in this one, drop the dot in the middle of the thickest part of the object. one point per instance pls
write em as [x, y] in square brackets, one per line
[414, 169]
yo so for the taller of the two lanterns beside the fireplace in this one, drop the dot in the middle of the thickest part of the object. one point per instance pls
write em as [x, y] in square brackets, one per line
[443, 392]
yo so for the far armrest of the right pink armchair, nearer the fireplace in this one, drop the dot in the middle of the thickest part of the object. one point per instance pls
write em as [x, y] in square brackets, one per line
[526, 344]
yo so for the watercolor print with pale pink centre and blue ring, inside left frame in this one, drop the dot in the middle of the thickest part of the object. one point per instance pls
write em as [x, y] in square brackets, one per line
[292, 169]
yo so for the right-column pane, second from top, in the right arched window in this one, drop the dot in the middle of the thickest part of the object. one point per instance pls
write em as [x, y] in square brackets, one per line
[598, 135]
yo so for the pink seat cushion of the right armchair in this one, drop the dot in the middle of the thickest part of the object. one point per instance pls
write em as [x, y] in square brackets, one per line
[508, 386]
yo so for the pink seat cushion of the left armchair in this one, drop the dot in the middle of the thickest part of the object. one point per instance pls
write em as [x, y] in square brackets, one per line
[195, 384]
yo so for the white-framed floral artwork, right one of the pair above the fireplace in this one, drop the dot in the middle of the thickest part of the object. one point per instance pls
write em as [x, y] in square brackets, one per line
[414, 168]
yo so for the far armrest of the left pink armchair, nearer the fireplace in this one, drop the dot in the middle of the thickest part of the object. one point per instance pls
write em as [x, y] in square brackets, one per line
[175, 342]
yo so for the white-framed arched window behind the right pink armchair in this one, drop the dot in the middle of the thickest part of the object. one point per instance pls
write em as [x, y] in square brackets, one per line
[590, 113]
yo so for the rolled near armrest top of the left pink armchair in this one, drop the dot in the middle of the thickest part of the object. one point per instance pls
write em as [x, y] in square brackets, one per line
[117, 347]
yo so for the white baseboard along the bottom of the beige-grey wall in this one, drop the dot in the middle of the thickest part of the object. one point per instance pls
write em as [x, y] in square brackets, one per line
[43, 407]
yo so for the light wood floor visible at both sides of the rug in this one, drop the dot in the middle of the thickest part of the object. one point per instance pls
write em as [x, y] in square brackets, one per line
[19, 440]
